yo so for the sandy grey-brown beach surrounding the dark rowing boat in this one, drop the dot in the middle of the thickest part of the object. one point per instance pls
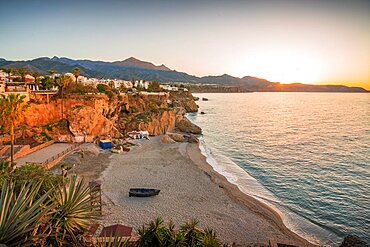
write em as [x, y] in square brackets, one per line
[189, 189]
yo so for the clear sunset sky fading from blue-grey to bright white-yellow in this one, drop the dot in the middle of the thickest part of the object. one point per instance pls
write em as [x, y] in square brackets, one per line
[316, 41]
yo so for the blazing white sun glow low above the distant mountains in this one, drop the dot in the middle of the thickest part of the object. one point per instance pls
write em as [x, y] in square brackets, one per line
[286, 67]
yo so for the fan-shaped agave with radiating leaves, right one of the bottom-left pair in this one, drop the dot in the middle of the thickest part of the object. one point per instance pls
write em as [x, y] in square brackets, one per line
[73, 213]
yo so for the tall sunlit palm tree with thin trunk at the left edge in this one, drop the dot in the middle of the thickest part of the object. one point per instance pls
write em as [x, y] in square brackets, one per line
[12, 108]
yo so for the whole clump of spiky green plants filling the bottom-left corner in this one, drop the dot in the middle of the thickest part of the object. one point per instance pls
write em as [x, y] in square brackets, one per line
[41, 209]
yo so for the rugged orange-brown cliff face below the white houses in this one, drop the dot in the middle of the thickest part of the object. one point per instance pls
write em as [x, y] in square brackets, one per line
[91, 116]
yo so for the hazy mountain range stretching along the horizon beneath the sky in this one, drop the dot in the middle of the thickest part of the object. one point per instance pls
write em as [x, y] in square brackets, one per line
[133, 68]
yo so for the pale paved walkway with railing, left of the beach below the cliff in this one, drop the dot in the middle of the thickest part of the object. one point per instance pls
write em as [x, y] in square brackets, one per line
[46, 155]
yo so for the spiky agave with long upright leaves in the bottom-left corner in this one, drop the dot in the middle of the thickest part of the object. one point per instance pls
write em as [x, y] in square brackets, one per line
[21, 213]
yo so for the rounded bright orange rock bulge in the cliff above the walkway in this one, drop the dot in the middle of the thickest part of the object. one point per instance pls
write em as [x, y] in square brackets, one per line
[85, 123]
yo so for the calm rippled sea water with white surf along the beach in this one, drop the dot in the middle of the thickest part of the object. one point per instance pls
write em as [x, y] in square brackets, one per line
[305, 154]
